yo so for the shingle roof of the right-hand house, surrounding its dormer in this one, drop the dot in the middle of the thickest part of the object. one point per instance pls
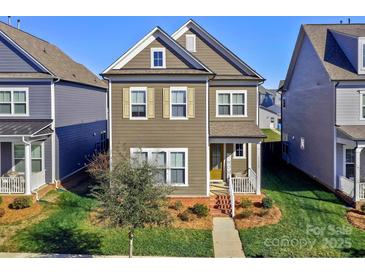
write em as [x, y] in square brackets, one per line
[330, 53]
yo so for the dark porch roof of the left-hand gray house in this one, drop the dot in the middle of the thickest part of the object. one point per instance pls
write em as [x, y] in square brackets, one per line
[24, 127]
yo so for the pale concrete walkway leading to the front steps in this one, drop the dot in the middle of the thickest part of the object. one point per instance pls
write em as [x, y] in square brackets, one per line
[226, 241]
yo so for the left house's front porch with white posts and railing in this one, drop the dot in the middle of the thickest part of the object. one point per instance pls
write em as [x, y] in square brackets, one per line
[22, 156]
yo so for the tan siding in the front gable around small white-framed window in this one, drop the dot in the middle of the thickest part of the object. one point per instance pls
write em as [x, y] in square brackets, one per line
[143, 59]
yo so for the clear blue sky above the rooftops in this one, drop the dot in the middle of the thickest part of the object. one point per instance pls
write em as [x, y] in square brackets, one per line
[265, 43]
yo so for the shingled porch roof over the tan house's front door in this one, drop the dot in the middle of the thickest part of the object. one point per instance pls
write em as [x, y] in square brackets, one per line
[235, 129]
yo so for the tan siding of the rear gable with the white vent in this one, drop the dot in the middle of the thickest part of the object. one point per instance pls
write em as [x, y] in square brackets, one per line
[210, 57]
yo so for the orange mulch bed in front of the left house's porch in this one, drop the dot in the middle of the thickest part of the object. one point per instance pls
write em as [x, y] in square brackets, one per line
[15, 215]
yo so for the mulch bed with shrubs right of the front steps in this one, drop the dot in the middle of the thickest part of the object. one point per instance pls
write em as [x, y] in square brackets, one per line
[259, 216]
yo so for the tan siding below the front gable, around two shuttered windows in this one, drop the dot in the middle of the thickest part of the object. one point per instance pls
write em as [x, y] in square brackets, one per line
[160, 132]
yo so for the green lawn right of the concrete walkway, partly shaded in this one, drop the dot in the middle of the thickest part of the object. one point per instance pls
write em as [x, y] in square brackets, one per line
[313, 222]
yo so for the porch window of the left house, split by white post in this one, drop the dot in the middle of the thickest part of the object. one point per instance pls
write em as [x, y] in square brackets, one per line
[36, 158]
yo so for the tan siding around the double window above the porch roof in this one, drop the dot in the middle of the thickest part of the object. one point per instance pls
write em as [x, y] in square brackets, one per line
[251, 101]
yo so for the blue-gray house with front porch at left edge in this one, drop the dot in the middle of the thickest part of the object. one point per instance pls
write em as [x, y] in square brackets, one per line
[52, 113]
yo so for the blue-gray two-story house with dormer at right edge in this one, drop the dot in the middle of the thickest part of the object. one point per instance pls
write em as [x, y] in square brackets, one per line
[324, 107]
